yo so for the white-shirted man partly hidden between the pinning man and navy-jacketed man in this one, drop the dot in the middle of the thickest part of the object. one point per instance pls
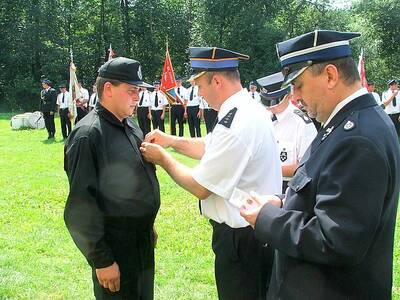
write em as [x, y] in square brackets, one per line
[294, 130]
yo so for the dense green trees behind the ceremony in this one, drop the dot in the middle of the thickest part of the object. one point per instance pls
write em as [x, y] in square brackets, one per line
[37, 35]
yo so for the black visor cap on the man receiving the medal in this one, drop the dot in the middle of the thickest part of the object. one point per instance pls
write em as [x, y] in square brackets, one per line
[125, 70]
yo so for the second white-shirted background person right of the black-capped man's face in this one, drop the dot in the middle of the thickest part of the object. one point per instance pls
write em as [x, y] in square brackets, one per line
[158, 102]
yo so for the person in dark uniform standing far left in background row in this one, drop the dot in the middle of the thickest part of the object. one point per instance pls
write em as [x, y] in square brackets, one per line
[48, 102]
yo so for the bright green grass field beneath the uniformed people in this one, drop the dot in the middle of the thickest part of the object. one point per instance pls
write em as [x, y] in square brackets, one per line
[38, 259]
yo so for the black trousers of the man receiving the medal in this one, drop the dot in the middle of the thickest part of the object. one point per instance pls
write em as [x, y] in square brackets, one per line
[133, 249]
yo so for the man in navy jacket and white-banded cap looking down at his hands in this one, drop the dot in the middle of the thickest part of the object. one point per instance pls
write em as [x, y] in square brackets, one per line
[334, 233]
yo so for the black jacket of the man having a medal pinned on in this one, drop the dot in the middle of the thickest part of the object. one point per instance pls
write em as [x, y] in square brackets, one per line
[111, 186]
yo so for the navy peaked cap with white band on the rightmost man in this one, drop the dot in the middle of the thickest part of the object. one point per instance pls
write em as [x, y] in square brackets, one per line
[300, 52]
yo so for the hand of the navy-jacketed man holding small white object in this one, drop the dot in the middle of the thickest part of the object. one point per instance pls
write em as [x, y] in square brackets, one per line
[252, 206]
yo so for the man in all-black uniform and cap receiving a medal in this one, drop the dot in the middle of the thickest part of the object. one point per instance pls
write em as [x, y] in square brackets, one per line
[114, 194]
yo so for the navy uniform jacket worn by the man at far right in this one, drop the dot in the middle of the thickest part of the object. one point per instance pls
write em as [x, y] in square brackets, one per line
[334, 235]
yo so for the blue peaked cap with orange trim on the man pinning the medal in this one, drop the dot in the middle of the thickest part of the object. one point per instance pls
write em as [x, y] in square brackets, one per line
[203, 59]
